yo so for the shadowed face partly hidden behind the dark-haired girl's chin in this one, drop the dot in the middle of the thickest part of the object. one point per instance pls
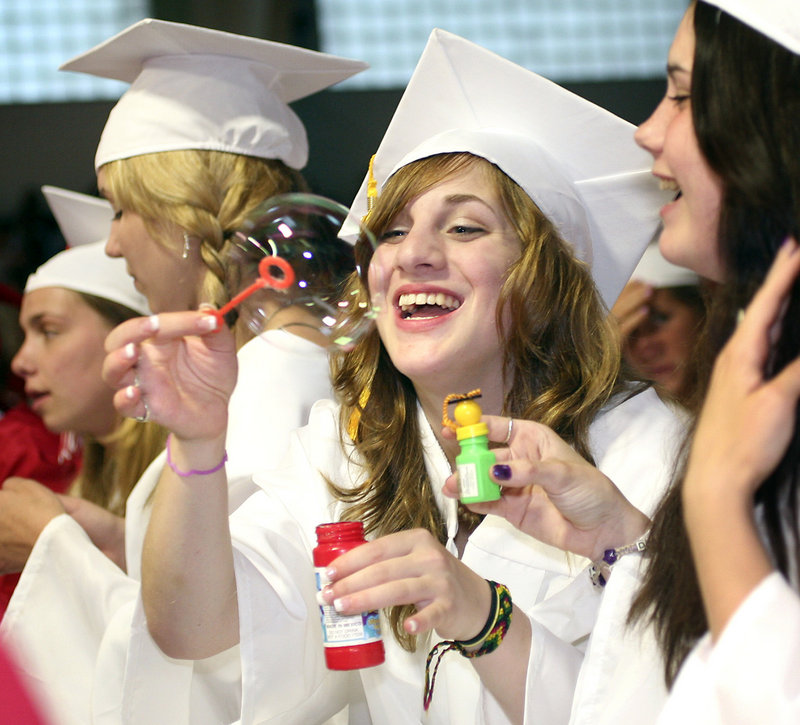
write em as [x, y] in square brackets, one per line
[661, 347]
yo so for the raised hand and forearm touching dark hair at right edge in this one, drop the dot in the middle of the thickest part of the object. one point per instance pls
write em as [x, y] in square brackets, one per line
[745, 427]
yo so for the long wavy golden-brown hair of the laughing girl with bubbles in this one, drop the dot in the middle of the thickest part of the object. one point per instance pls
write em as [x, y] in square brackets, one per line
[561, 360]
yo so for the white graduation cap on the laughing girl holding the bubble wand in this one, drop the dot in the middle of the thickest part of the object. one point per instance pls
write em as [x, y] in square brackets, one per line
[577, 161]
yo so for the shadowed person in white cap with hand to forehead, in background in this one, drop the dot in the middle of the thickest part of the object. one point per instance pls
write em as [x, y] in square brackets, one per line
[660, 314]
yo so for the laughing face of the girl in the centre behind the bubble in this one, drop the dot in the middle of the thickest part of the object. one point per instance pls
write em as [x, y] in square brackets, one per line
[440, 265]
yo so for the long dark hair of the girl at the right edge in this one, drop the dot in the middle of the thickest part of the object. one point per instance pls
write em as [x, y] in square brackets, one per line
[745, 103]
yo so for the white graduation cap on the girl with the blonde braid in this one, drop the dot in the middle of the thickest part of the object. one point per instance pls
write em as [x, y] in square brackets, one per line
[195, 88]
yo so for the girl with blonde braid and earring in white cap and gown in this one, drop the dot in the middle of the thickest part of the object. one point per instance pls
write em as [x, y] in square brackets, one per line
[203, 136]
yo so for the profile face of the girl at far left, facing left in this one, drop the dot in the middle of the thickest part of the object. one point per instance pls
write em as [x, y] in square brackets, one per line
[61, 362]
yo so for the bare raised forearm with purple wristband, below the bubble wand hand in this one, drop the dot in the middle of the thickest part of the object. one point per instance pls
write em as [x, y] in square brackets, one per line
[188, 582]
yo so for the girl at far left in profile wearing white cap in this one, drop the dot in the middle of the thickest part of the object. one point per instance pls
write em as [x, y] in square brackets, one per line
[69, 306]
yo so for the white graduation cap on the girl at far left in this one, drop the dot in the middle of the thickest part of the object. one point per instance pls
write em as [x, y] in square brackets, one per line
[84, 267]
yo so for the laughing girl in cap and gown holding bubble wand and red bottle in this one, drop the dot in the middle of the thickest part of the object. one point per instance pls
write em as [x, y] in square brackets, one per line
[482, 290]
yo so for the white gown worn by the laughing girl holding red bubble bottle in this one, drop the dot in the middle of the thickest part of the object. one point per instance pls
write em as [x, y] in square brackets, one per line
[284, 677]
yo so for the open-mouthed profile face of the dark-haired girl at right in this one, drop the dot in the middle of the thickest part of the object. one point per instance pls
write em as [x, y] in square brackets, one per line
[691, 221]
